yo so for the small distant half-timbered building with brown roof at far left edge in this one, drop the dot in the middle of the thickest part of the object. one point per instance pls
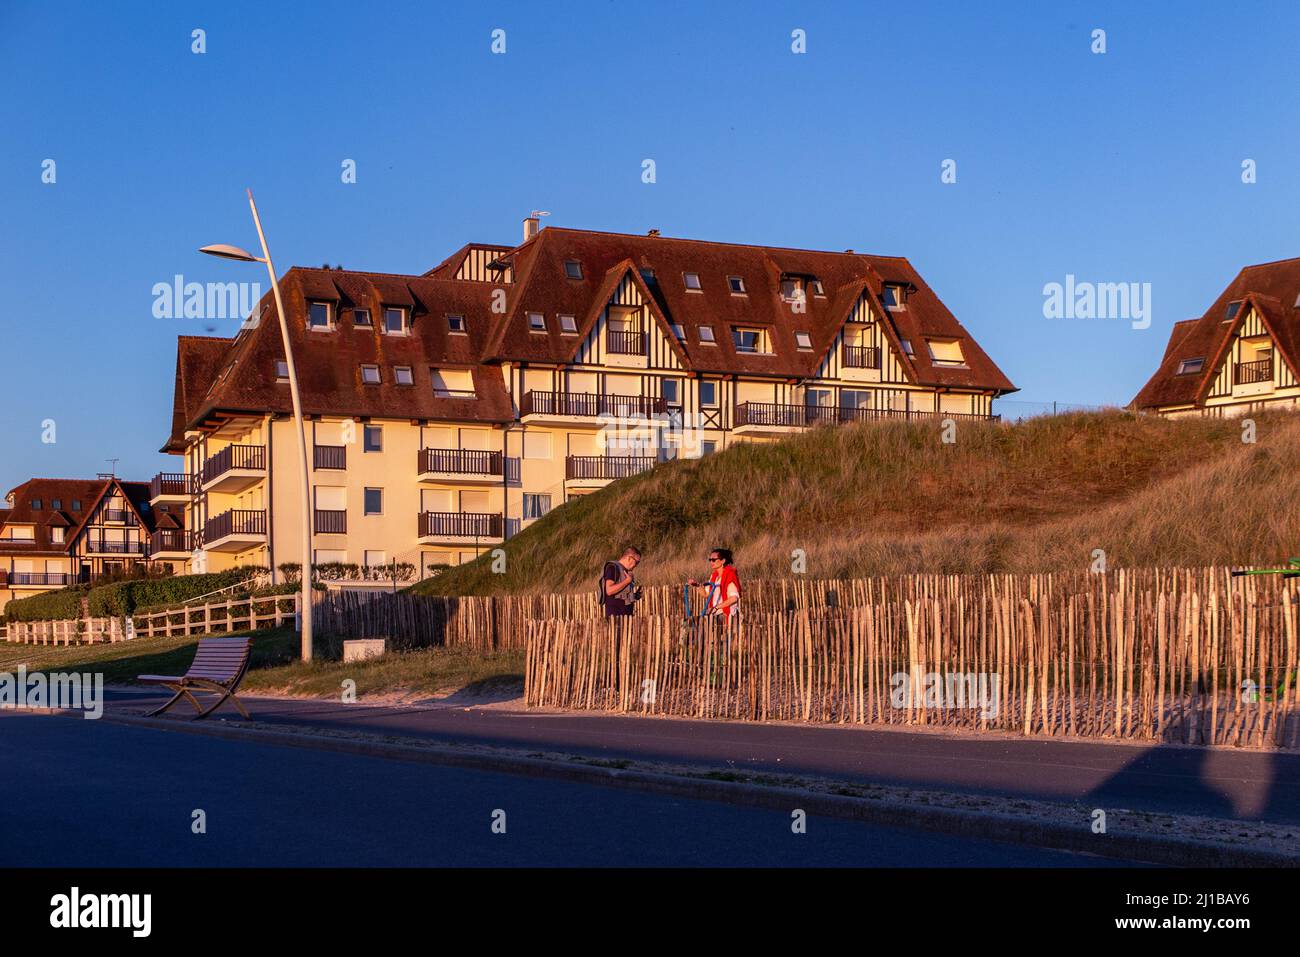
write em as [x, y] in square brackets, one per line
[58, 532]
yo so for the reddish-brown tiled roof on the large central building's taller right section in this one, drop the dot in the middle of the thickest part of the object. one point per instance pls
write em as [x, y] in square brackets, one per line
[543, 287]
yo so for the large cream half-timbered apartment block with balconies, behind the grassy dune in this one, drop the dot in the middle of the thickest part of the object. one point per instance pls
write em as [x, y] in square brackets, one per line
[450, 410]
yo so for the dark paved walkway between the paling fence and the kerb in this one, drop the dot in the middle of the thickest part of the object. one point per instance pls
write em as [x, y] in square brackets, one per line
[1247, 786]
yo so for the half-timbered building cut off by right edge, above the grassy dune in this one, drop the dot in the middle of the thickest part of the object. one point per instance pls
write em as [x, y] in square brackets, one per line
[1241, 357]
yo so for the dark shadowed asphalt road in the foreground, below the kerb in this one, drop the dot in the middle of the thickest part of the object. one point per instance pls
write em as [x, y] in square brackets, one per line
[94, 794]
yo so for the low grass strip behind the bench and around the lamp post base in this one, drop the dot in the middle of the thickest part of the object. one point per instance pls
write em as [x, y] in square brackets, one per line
[276, 670]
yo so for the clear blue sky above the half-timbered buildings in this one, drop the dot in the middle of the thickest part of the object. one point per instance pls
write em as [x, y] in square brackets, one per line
[1124, 167]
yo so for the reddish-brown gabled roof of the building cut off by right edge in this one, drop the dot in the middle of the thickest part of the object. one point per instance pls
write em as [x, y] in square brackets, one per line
[1272, 291]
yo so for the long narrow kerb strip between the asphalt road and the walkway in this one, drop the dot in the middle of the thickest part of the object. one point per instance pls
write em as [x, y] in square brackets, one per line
[963, 824]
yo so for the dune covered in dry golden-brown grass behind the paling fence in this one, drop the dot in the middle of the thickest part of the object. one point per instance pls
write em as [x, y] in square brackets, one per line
[886, 499]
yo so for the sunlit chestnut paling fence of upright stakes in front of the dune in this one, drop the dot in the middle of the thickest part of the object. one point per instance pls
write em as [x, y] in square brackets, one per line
[1175, 656]
